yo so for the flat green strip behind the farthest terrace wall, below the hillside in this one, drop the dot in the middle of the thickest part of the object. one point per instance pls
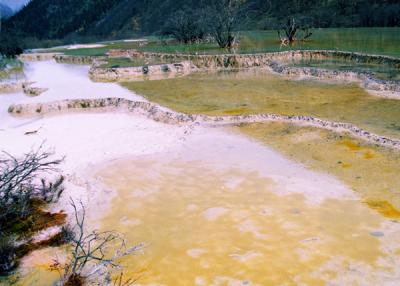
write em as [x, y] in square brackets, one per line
[383, 41]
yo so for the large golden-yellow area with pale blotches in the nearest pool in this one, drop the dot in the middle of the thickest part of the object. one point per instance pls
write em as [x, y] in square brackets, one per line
[206, 225]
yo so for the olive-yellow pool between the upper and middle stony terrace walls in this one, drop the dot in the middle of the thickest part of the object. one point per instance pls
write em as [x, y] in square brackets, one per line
[257, 91]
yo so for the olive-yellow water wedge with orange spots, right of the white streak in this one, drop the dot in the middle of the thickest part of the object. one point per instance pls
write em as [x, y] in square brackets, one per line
[371, 171]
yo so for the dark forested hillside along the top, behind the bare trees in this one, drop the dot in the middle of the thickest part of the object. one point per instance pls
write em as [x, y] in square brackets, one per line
[57, 19]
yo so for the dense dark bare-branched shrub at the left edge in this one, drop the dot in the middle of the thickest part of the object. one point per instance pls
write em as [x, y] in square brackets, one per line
[21, 192]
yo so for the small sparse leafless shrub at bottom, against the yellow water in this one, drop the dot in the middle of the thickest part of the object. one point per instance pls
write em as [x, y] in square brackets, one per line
[91, 252]
